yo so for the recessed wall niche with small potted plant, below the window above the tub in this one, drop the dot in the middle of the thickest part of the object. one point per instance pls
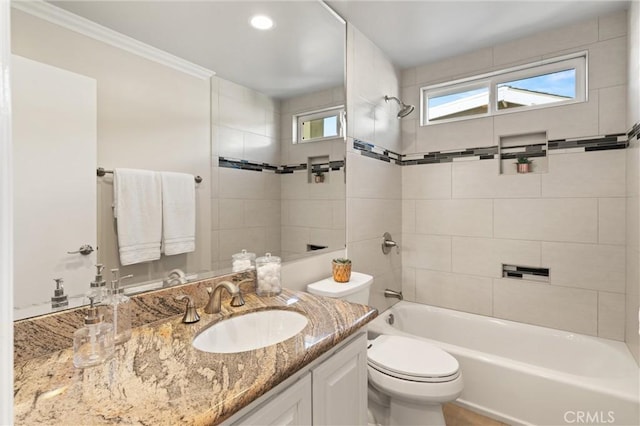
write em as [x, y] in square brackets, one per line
[532, 145]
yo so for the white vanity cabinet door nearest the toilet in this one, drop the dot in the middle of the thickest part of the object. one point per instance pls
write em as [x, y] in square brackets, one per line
[340, 387]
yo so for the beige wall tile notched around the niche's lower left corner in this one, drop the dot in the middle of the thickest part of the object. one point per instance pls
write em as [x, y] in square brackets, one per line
[482, 179]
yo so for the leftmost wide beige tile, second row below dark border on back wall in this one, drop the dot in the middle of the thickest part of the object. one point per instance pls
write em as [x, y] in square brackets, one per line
[455, 217]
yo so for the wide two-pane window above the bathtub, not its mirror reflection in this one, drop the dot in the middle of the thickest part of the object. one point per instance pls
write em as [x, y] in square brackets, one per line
[546, 83]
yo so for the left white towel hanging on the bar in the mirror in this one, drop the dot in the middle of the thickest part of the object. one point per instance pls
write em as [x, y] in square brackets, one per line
[137, 197]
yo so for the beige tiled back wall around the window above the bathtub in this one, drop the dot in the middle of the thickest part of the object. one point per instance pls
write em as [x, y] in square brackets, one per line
[462, 220]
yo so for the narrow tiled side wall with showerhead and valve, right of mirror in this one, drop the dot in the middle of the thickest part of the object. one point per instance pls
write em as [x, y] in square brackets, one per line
[373, 186]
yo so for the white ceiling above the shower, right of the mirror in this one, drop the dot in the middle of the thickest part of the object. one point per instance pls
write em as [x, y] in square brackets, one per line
[419, 32]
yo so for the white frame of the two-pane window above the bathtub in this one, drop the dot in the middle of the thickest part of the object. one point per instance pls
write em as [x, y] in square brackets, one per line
[578, 61]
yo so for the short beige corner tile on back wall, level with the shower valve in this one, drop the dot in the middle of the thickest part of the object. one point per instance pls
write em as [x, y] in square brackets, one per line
[426, 252]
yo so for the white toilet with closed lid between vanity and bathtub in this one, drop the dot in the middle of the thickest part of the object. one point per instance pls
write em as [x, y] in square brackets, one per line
[409, 379]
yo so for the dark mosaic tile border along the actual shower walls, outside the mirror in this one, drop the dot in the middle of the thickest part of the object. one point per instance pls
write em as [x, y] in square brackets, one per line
[556, 146]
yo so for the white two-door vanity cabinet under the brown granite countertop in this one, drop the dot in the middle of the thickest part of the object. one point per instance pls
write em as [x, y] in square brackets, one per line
[330, 391]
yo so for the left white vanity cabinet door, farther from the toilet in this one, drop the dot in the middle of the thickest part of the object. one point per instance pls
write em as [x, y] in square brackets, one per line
[291, 407]
